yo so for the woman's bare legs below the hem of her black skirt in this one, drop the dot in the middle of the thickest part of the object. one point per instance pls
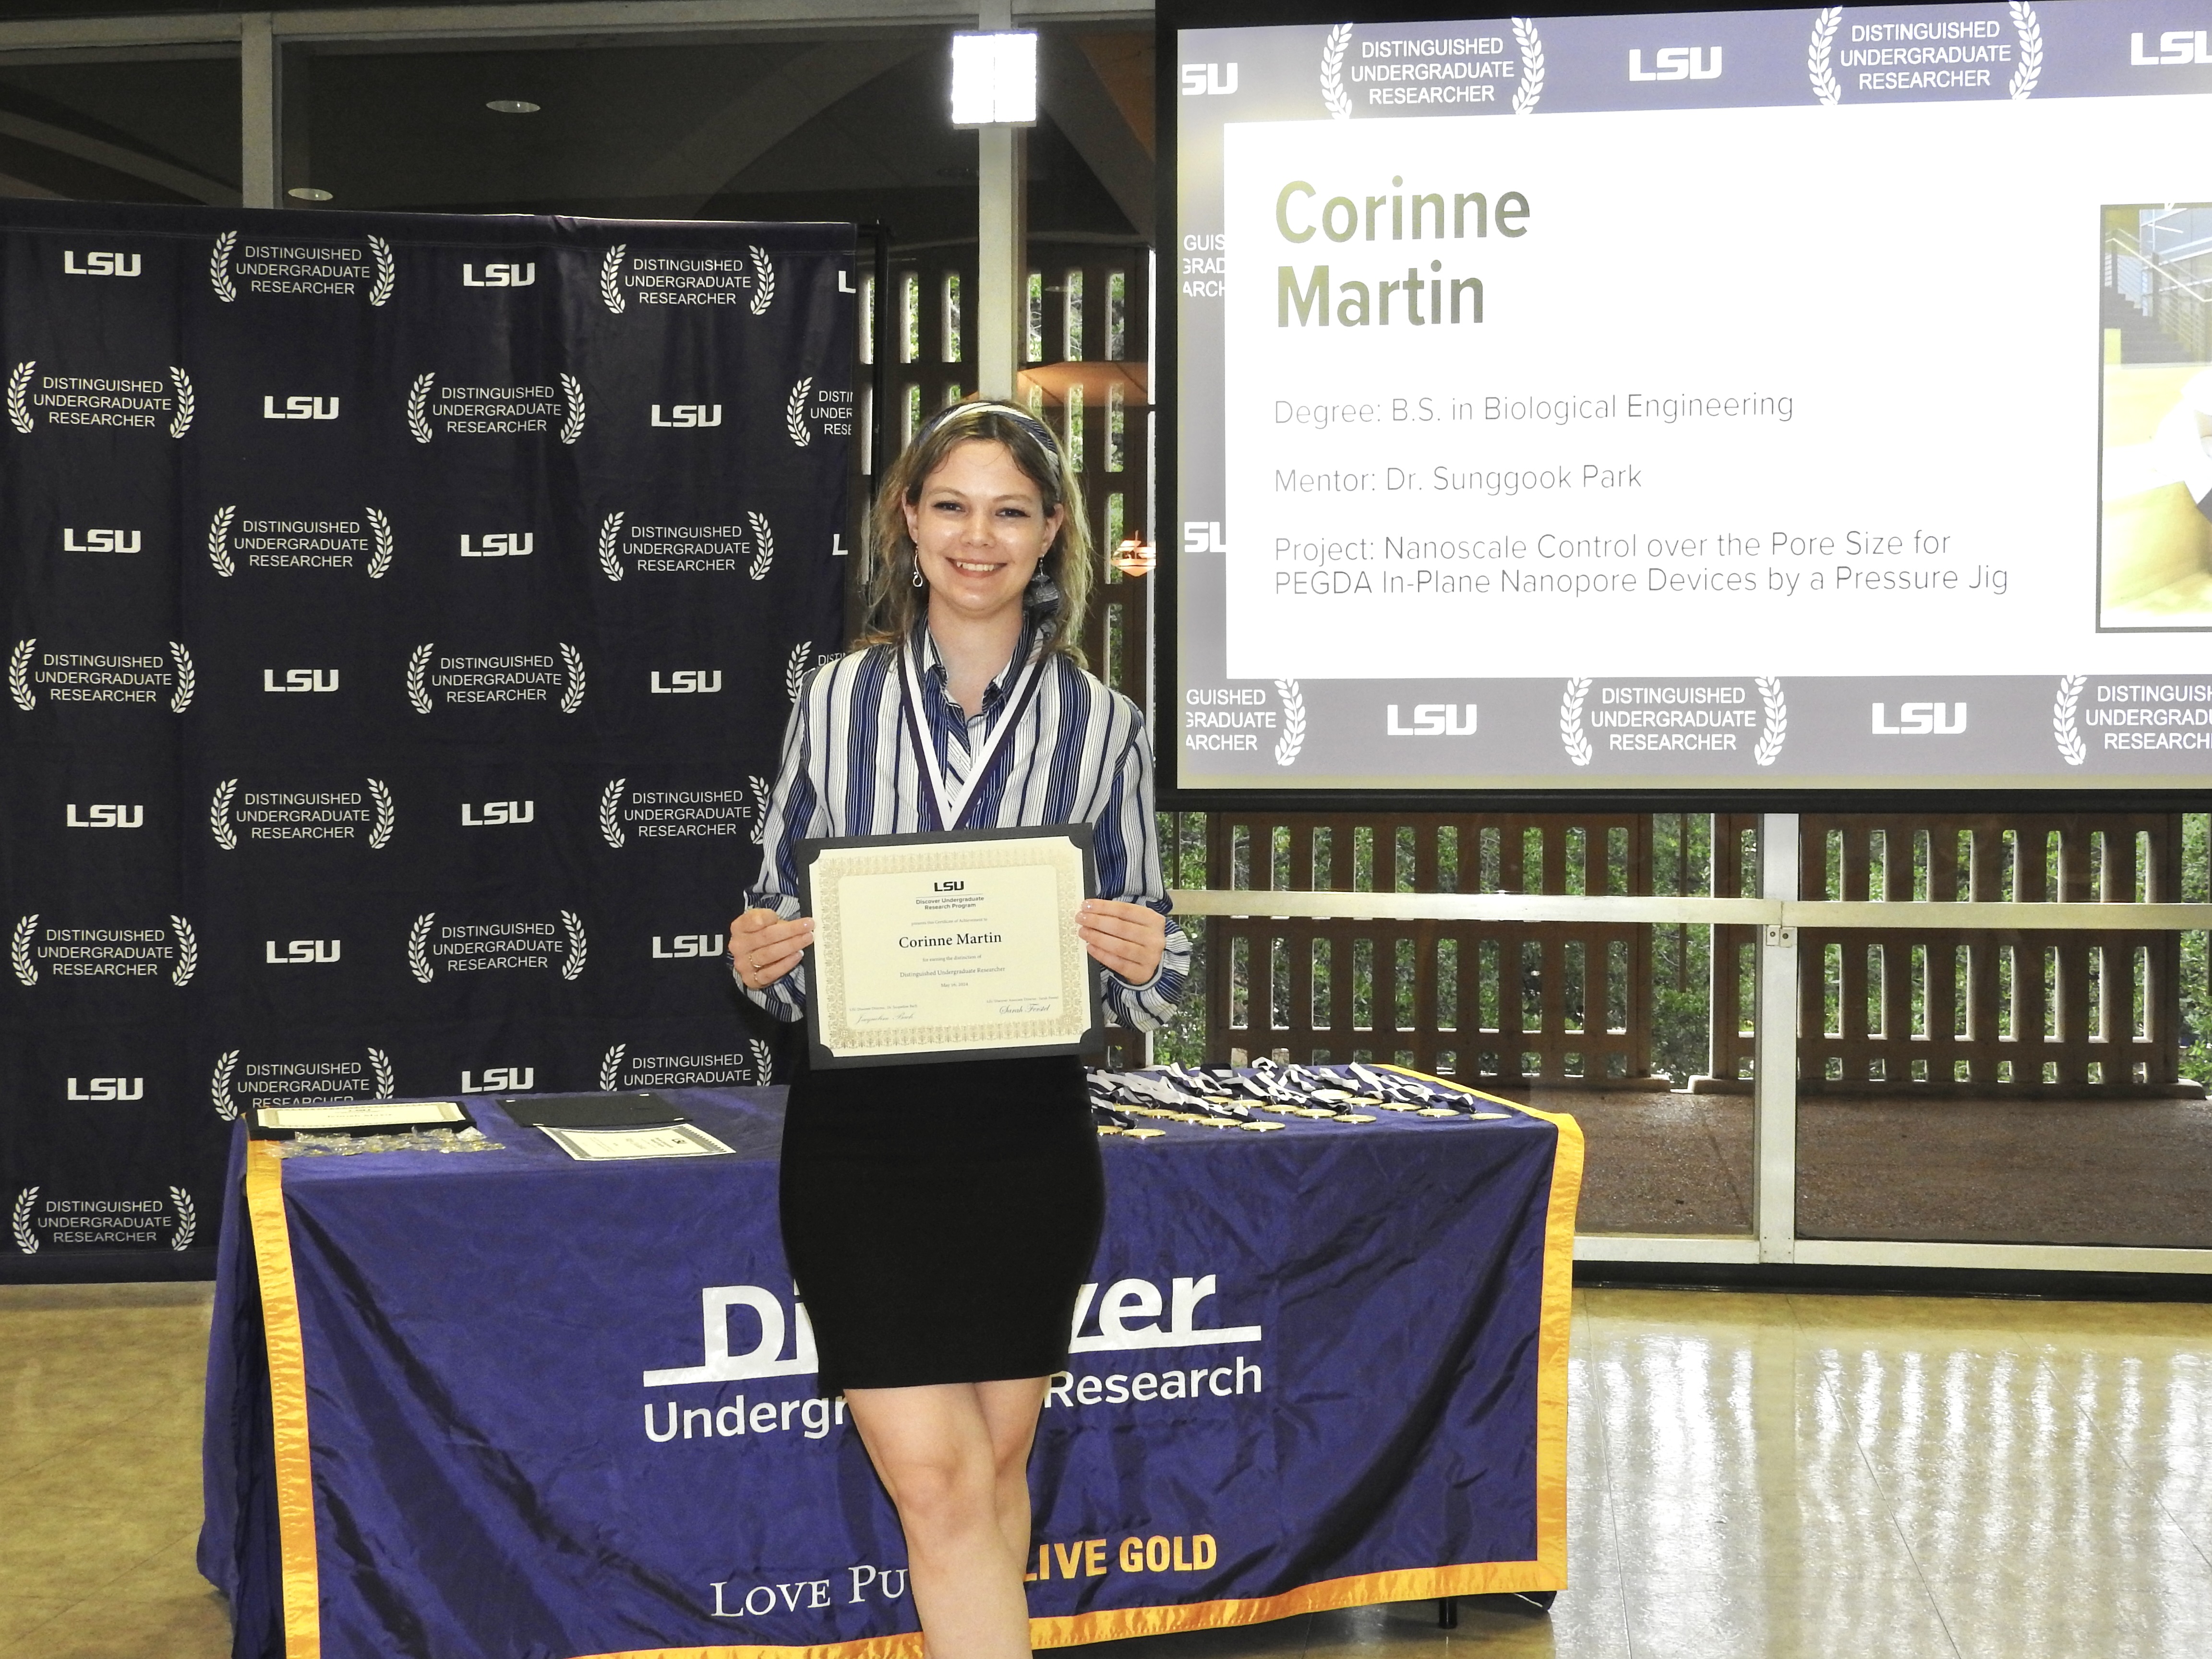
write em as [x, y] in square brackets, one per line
[954, 1457]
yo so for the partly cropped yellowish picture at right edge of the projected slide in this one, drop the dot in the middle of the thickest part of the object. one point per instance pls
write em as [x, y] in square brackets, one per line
[2156, 539]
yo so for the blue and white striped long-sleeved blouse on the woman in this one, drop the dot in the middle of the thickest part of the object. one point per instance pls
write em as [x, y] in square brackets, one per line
[1078, 755]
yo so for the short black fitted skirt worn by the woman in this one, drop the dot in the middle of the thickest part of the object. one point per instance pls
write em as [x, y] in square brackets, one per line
[941, 1220]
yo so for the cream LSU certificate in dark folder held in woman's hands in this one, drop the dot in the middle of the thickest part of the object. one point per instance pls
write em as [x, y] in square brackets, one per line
[950, 946]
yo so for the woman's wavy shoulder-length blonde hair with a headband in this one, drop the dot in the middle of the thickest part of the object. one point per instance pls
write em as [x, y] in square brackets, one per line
[895, 605]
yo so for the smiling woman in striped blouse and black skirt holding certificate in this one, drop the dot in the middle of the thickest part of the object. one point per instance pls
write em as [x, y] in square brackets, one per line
[966, 707]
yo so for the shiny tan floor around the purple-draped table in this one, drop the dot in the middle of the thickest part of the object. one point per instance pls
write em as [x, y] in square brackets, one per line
[1751, 1477]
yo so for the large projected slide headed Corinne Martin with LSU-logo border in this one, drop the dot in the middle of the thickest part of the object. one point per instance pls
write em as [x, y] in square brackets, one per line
[1786, 399]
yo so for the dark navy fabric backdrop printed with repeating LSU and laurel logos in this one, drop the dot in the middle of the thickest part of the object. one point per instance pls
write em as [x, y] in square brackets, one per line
[401, 616]
